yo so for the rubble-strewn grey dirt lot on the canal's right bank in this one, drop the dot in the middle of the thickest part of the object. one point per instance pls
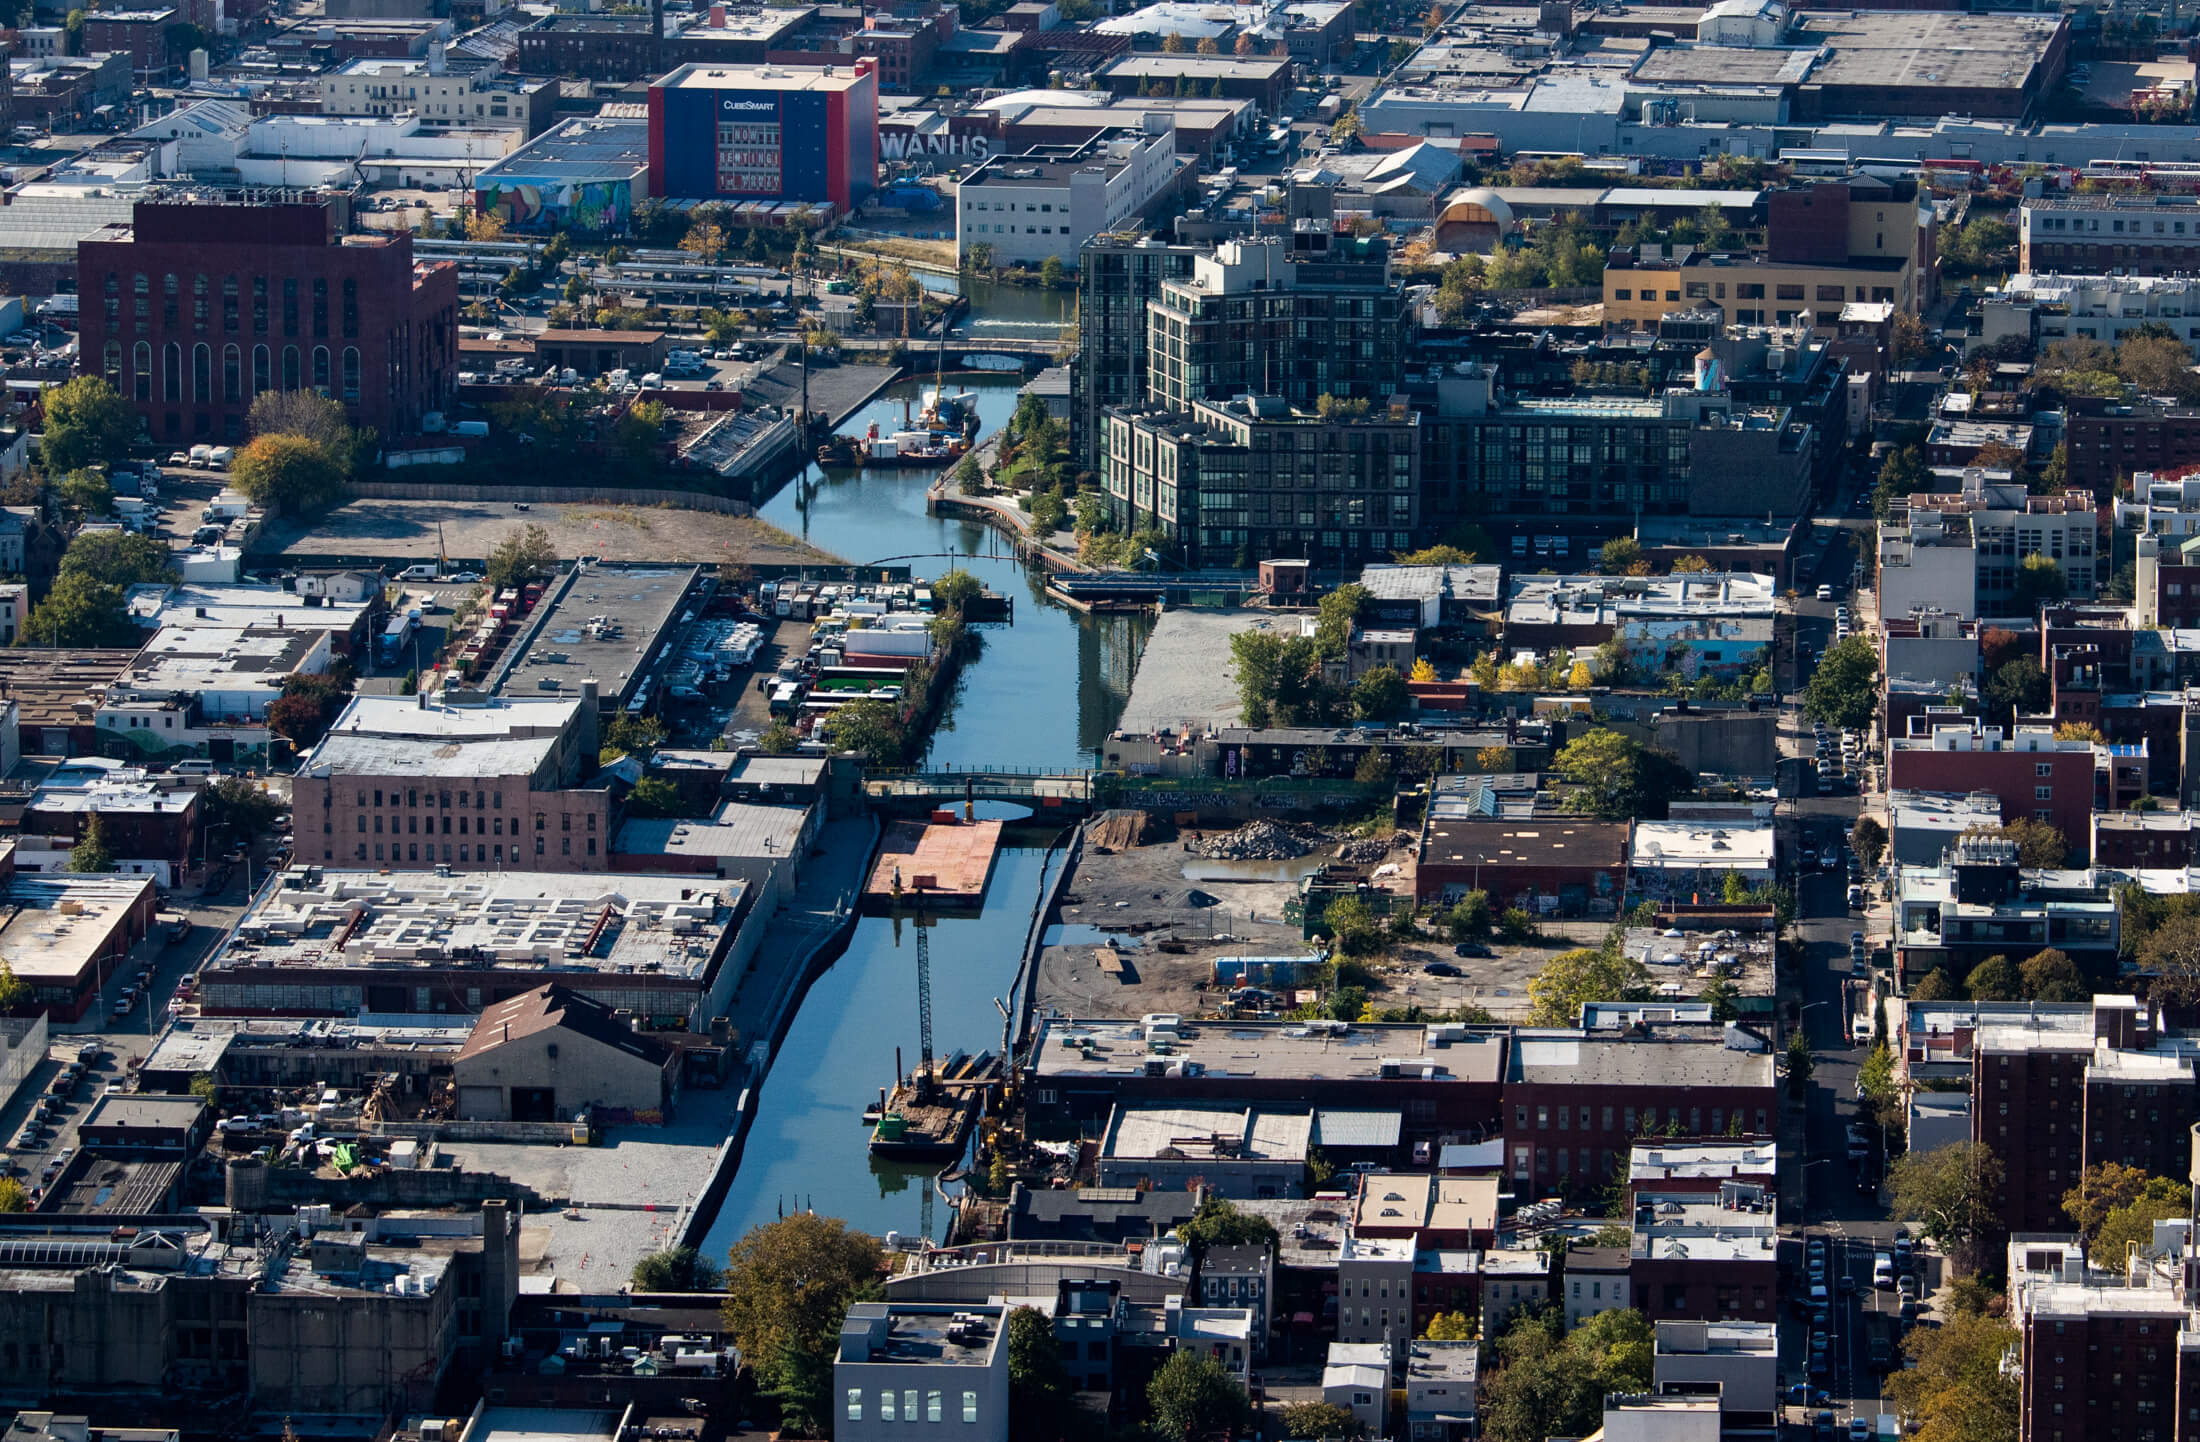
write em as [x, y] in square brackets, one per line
[1160, 886]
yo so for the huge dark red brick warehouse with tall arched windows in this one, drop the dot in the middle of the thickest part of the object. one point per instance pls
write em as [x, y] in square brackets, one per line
[197, 307]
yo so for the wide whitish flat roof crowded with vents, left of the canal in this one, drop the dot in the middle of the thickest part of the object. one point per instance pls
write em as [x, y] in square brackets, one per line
[507, 921]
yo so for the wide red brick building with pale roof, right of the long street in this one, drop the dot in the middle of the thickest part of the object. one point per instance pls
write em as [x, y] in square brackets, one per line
[2034, 776]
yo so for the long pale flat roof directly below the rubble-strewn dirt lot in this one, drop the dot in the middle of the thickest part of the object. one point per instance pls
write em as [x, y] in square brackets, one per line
[1244, 1051]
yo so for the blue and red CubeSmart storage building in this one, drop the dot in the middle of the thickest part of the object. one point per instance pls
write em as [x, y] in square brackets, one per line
[767, 135]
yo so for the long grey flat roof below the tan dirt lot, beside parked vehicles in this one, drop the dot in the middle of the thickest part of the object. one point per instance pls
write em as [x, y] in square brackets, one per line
[604, 626]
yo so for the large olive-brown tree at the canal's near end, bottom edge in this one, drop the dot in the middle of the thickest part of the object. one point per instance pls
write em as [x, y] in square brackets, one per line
[789, 1287]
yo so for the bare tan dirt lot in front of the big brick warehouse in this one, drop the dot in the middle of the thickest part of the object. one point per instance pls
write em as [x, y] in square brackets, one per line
[467, 532]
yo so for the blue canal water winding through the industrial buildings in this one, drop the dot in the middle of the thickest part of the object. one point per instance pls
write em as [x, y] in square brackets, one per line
[1044, 692]
